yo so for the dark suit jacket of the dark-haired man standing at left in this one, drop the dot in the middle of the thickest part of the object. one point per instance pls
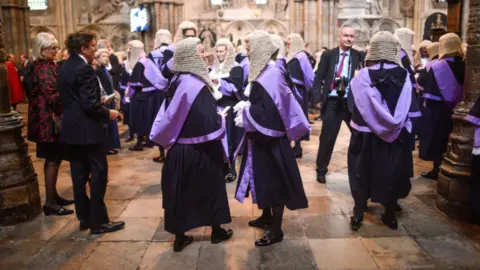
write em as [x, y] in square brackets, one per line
[84, 117]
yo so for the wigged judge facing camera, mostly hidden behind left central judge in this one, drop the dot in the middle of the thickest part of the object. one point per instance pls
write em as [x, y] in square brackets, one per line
[186, 29]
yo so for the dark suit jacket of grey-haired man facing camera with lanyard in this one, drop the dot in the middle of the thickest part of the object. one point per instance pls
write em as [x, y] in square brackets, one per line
[326, 73]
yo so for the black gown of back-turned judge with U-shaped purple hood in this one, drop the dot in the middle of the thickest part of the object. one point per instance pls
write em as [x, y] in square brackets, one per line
[377, 169]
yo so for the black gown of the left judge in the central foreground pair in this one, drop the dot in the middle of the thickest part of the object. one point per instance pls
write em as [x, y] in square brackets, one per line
[193, 177]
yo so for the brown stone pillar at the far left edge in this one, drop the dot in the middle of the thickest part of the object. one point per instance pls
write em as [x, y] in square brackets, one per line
[19, 194]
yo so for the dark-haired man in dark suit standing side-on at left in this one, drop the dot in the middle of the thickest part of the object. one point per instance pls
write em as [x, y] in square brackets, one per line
[84, 132]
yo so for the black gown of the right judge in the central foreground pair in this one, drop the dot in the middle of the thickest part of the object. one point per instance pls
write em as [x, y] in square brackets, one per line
[277, 179]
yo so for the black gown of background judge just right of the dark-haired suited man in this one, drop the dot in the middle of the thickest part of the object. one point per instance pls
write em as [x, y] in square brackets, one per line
[139, 113]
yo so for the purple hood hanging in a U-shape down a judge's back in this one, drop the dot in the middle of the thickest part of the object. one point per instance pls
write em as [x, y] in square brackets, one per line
[374, 109]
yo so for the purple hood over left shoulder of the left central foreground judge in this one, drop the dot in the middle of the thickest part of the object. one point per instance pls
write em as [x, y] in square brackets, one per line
[169, 122]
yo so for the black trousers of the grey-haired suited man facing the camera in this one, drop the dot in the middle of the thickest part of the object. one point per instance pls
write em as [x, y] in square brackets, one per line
[333, 114]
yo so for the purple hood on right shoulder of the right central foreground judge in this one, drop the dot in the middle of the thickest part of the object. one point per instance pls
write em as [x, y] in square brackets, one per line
[293, 117]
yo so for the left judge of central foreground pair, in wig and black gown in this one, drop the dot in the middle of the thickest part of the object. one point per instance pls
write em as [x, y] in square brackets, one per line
[189, 126]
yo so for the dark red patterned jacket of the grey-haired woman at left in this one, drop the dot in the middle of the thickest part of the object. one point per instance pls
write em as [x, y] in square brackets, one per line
[45, 102]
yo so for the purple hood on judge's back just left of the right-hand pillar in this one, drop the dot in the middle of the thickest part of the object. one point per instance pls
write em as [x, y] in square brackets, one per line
[451, 91]
